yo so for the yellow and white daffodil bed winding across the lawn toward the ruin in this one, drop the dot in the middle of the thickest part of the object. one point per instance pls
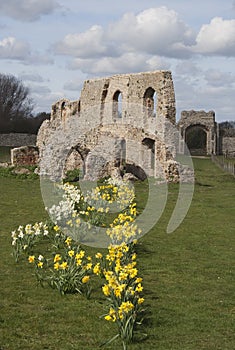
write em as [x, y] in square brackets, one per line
[55, 251]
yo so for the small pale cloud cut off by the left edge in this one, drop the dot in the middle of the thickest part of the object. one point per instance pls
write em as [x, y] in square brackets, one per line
[11, 48]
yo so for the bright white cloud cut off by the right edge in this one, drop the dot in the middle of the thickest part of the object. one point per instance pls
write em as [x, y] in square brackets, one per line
[216, 38]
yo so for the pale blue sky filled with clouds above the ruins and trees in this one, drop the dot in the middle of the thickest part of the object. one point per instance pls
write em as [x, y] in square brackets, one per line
[54, 45]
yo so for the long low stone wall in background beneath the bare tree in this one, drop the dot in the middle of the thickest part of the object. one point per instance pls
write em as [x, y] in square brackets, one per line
[17, 140]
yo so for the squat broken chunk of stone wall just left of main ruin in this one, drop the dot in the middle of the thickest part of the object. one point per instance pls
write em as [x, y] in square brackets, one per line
[25, 155]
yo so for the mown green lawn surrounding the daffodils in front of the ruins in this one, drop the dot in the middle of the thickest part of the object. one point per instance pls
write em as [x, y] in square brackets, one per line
[188, 277]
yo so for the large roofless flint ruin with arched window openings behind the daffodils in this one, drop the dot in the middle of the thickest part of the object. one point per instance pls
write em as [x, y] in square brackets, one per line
[124, 124]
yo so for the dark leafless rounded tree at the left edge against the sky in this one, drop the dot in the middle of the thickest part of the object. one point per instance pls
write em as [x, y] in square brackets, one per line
[15, 103]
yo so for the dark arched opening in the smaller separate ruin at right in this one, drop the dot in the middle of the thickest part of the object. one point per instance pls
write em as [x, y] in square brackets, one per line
[196, 140]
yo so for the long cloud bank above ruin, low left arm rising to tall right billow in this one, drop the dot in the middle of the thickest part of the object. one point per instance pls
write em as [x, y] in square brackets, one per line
[155, 31]
